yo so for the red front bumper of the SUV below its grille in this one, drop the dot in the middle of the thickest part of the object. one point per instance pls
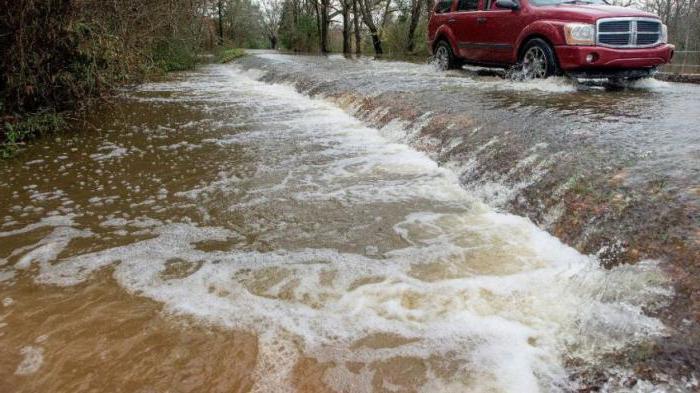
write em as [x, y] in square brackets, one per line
[572, 58]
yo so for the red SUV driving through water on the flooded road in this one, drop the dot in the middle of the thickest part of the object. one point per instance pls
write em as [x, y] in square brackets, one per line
[582, 38]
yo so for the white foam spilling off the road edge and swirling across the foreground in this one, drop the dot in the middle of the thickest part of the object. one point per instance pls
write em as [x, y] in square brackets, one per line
[488, 301]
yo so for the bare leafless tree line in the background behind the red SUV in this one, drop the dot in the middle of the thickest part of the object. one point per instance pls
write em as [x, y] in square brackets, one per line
[398, 27]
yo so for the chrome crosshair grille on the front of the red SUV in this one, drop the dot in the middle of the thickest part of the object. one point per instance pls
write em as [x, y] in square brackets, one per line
[628, 32]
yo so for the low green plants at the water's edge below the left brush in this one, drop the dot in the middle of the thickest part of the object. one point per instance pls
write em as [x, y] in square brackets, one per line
[29, 127]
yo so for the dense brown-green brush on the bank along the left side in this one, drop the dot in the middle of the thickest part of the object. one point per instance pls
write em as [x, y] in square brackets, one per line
[59, 55]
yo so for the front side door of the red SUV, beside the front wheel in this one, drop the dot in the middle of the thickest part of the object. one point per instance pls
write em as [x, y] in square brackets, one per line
[496, 33]
